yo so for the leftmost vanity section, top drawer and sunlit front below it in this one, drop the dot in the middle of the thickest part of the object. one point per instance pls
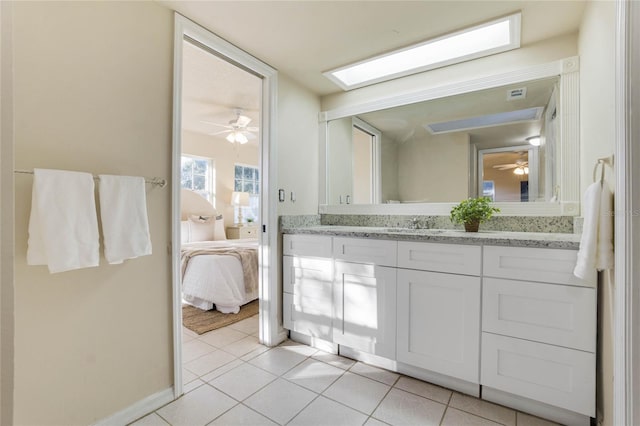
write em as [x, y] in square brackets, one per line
[308, 285]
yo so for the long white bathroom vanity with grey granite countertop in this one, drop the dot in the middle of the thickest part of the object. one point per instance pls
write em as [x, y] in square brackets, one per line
[497, 315]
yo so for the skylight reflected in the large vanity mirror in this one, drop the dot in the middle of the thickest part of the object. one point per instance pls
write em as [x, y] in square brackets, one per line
[499, 119]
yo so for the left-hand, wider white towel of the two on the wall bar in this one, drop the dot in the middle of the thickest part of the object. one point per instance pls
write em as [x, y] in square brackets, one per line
[63, 225]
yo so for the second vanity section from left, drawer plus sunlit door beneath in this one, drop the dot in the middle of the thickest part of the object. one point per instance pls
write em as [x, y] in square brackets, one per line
[364, 295]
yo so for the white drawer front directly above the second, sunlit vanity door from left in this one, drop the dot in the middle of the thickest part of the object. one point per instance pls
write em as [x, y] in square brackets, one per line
[362, 250]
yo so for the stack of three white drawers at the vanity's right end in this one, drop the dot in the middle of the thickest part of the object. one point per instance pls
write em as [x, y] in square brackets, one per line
[538, 329]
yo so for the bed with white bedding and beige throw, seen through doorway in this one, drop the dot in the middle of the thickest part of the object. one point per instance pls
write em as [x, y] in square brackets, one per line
[216, 272]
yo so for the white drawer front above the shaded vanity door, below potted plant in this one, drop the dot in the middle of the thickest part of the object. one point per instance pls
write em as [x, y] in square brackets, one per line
[452, 258]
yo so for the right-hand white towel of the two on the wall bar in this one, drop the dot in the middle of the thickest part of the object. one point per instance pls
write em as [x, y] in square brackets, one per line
[123, 210]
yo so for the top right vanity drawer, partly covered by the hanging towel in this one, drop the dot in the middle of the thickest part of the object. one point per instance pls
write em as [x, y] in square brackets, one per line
[534, 264]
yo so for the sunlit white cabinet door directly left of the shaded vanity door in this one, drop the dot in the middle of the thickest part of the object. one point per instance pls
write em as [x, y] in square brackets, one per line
[365, 308]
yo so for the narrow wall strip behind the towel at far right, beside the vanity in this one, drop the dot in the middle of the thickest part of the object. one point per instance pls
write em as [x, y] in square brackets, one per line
[597, 139]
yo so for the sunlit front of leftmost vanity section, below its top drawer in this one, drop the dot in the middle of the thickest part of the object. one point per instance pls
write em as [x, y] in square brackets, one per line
[307, 298]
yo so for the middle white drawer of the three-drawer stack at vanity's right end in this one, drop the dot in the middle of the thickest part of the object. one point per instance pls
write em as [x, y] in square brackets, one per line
[549, 313]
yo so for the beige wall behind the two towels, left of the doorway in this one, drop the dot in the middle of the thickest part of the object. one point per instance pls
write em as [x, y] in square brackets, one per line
[93, 92]
